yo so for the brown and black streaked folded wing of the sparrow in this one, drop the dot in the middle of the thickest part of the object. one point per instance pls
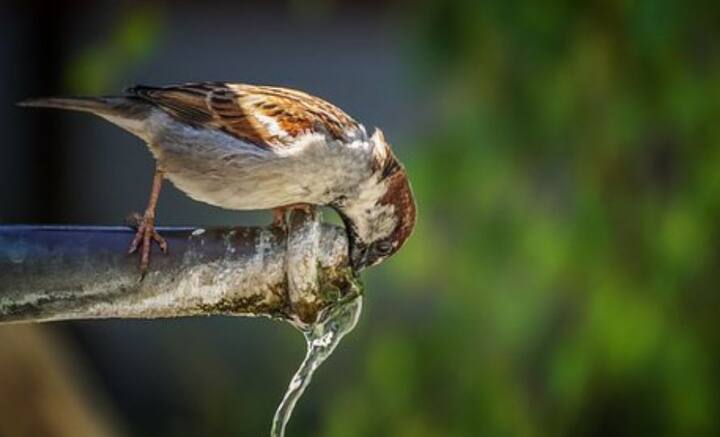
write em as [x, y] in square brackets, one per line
[268, 117]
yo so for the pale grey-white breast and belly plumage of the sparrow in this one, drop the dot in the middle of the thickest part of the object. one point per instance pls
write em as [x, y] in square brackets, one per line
[216, 168]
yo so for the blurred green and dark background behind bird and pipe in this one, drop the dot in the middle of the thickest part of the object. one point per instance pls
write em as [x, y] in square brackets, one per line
[562, 280]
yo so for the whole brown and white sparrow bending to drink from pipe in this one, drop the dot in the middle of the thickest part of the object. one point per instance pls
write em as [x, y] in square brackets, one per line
[250, 147]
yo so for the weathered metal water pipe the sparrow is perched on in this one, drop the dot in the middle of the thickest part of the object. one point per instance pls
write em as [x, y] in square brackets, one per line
[82, 272]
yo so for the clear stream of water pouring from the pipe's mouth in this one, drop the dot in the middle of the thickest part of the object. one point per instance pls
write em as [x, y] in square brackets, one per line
[322, 339]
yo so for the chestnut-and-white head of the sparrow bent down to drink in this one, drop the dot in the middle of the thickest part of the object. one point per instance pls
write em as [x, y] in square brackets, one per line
[380, 215]
